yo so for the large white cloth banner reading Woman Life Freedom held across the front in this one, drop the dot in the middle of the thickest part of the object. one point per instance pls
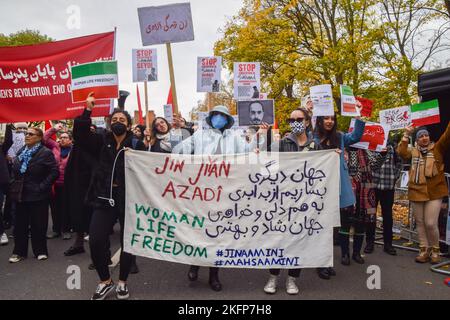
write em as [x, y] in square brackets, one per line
[233, 211]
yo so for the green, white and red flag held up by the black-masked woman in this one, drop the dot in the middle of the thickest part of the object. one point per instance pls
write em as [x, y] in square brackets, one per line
[98, 77]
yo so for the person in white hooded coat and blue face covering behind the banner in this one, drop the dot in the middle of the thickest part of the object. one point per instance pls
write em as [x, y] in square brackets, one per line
[215, 141]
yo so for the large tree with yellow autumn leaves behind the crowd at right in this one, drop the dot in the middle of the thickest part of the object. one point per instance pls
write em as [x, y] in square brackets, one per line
[376, 47]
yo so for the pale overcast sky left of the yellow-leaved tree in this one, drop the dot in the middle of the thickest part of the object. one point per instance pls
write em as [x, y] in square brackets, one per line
[50, 18]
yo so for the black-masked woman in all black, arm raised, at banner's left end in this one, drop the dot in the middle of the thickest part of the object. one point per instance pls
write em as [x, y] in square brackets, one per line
[108, 204]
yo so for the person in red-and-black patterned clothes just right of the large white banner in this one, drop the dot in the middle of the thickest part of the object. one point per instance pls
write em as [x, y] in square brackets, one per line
[361, 165]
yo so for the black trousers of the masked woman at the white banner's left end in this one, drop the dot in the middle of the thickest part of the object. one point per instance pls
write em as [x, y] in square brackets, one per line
[102, 222]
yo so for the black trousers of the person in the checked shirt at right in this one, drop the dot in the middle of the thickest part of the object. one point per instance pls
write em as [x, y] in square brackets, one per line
[386, 198]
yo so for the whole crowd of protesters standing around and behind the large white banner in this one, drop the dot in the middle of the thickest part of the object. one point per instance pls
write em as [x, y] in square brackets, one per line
[80, 176]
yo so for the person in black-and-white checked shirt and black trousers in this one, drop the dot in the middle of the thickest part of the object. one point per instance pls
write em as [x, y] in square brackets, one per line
[384, 180]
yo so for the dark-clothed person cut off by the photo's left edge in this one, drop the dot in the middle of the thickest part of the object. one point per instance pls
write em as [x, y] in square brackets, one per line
[4, 180]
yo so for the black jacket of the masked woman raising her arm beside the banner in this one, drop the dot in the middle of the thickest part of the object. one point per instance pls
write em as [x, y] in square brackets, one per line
[103, 148]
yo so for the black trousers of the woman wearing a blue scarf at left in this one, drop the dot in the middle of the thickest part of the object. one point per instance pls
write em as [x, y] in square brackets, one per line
[34, 216]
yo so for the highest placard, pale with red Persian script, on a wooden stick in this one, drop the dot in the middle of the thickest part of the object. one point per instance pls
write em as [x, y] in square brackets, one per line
[166, 24]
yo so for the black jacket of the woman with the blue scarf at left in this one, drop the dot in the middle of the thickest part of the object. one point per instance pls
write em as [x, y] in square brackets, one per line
[41, 173]
